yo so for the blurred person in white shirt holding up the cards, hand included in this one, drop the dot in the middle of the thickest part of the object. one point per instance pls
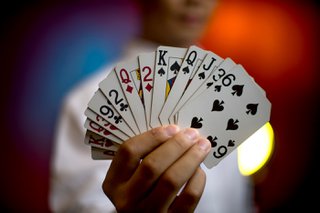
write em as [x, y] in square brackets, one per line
[153, 185]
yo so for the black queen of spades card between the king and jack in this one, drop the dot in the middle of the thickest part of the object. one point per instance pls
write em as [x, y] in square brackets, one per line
[191, 61]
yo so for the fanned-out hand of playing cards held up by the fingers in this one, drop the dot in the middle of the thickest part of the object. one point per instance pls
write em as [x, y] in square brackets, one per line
[189, 87]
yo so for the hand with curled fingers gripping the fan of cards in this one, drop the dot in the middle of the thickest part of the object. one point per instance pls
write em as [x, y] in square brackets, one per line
[149, 170]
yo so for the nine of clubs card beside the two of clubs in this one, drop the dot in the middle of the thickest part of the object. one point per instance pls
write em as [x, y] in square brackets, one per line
[103, 107]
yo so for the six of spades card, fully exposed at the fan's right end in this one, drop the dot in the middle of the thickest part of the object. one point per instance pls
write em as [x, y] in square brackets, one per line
[227, 116]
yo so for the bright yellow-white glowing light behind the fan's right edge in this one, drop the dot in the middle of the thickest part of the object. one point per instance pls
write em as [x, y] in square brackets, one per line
[256, 150]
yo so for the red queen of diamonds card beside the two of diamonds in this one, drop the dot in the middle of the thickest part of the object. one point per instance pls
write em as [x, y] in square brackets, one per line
[128, 73]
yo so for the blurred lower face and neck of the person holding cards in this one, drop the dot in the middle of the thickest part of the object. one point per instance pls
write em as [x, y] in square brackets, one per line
[175, 22]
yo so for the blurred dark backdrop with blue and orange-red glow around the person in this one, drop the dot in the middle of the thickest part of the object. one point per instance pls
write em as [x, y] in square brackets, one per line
[47, 47]
